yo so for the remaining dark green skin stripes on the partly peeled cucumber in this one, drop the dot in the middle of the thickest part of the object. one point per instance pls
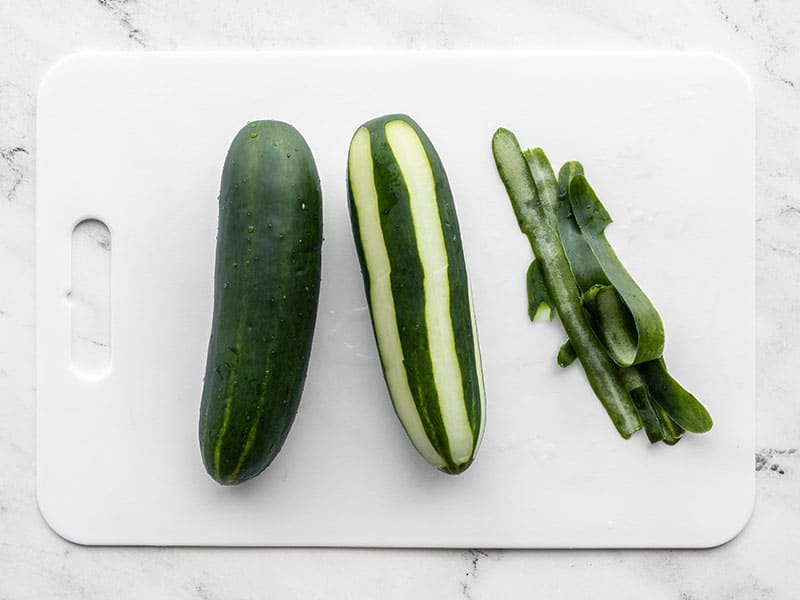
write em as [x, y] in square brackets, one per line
[407, 287]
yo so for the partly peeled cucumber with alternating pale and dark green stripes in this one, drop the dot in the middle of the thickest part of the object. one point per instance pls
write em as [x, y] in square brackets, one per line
[415, 277]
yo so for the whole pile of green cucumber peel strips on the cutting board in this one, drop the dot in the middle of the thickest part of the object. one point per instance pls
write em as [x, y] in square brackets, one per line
[613, 329]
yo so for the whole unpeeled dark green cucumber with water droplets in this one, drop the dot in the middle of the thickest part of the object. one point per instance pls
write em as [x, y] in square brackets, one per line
[266, 288]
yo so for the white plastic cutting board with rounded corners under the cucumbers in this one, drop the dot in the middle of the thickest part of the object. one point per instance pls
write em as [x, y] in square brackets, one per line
[138, 140]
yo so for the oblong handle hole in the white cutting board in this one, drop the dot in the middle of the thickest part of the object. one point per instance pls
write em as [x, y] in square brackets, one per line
[89, 299]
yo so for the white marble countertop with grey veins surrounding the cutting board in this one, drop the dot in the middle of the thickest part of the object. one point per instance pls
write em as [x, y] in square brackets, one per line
[761, 36]
